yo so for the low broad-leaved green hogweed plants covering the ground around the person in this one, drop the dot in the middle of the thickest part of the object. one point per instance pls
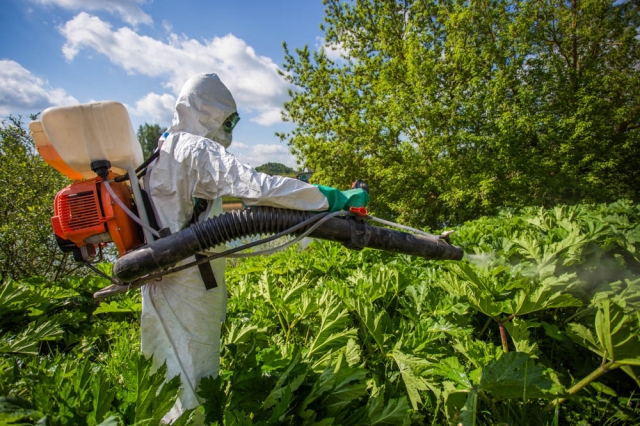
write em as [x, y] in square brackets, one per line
[538, 326]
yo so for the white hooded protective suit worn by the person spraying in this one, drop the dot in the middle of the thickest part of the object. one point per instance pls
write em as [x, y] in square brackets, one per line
[181, 320]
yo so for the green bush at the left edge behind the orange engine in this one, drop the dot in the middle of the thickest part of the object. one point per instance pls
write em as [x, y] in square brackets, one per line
[27, 243]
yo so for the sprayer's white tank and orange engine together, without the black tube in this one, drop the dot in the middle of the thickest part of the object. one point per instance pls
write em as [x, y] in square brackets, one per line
[87, 215]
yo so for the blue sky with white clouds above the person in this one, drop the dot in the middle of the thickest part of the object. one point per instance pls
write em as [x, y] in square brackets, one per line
[140, 52]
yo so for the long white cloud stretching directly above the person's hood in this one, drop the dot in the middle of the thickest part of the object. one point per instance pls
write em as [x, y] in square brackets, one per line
[253, 79]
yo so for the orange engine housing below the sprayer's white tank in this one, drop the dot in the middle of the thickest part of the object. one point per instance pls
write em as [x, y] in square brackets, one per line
[85, 214]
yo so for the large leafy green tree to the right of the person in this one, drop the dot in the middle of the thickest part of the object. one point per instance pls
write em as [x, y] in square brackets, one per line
[450, 109]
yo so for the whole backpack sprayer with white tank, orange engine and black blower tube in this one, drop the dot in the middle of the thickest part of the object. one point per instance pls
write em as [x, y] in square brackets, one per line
[95, 146]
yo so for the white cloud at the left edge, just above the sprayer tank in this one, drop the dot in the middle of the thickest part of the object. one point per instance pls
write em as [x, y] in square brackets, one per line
[23, 92]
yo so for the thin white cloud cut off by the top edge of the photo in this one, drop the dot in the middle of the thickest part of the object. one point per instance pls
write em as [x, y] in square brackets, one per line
[129, 10]
